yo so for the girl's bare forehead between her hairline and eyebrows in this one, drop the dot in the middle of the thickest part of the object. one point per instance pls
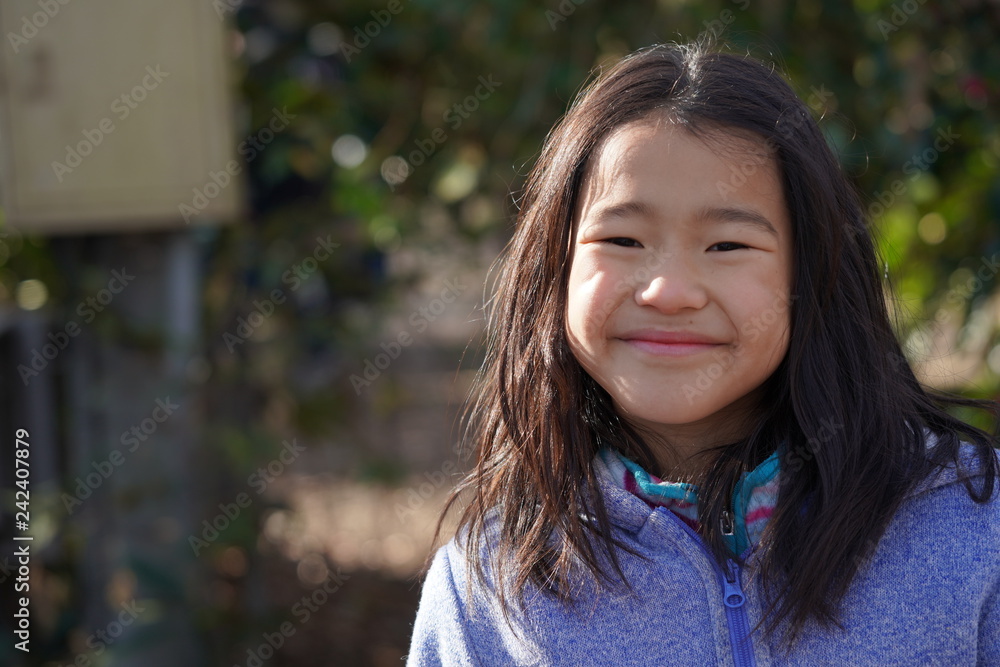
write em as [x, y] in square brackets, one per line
[655, 152]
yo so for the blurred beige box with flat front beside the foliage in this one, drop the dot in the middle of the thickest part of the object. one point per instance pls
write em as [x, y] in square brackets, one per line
[112, 114]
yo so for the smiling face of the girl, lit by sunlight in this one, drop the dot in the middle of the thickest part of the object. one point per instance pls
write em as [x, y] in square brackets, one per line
[679, 286]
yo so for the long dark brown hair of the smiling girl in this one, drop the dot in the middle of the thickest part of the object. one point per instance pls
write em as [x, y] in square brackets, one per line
[844, 400]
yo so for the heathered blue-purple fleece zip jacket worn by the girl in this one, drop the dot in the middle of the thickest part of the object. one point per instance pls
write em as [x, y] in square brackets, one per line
[929, 595]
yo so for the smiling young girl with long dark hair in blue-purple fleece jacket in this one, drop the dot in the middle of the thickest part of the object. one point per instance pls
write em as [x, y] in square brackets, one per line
[698, 439]
